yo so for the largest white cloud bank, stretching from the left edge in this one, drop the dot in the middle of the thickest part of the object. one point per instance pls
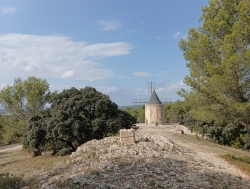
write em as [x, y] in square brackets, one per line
[55, 57]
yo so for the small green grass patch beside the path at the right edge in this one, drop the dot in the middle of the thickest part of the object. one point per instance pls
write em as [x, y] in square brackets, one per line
[242, 163]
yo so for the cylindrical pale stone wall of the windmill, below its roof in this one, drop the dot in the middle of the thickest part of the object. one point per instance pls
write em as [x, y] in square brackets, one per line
[154, 114]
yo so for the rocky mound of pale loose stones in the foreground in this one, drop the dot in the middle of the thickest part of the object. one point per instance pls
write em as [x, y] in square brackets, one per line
[153, 161]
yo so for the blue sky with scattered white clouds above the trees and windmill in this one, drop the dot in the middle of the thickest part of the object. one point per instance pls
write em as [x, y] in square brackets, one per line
[115, 46]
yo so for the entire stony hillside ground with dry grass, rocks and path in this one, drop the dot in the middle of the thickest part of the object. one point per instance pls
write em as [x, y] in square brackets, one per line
[159, 159]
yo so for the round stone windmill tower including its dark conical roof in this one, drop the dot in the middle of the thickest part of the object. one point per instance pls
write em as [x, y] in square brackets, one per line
[154, 111]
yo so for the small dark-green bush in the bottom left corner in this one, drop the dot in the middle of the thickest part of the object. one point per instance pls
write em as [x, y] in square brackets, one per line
[10, 181]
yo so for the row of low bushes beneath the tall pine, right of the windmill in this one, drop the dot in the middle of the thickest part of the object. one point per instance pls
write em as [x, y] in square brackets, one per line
[214, 126]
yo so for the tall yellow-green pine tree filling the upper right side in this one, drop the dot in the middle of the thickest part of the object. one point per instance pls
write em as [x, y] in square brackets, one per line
[218, 58]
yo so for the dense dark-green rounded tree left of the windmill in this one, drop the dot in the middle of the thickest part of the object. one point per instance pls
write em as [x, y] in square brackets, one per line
[75, 116]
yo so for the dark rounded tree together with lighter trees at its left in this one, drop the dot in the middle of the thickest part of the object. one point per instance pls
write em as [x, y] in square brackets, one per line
[57, 122]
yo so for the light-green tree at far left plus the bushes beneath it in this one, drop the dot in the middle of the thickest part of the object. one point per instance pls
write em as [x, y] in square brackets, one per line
[22, 100]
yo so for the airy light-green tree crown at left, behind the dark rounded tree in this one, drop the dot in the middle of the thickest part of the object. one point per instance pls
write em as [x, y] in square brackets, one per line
[25, 98]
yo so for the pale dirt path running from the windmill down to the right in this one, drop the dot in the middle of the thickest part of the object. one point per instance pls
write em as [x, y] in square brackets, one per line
[198, 149]
